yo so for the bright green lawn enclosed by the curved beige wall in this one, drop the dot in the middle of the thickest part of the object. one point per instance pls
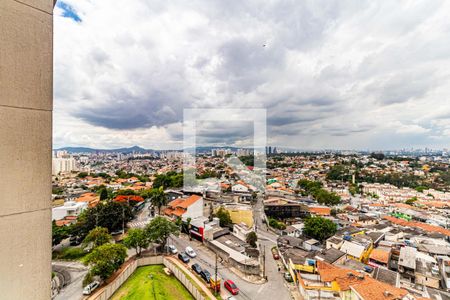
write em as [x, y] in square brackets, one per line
[161, 286]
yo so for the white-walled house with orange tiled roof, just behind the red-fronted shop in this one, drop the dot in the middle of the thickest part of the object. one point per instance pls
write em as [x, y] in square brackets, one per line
[191, 207]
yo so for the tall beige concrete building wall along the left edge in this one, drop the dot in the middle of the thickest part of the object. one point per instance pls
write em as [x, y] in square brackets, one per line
[26, 71]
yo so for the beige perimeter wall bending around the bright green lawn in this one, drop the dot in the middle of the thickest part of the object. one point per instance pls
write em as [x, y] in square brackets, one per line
[107, 291]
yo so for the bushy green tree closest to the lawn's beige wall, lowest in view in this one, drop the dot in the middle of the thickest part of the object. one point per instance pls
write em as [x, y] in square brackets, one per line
[105, 259]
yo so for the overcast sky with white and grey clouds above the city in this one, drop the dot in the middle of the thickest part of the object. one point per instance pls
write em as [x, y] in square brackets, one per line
[331, 74]
